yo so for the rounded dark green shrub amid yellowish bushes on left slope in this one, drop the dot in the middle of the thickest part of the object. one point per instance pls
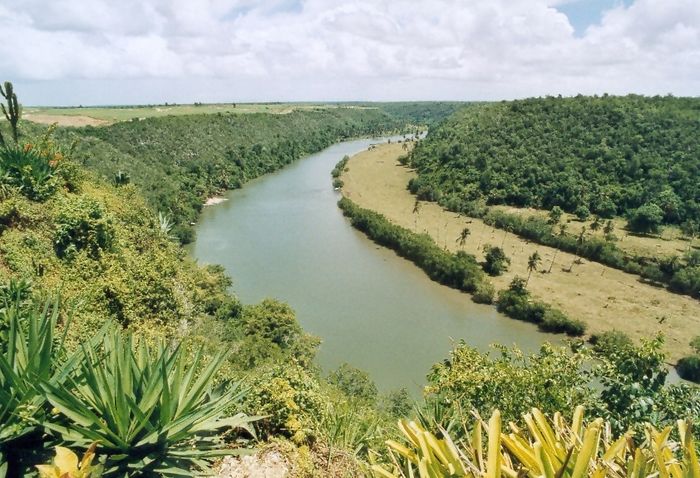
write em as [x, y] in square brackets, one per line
[82, 224]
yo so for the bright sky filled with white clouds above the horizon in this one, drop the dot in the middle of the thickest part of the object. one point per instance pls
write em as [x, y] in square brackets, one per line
[62, 52]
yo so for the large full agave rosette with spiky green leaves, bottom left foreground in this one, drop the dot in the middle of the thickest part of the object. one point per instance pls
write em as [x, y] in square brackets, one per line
[153, 410]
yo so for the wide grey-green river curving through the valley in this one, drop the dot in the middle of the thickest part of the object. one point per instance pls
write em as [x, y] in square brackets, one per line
[283, 236]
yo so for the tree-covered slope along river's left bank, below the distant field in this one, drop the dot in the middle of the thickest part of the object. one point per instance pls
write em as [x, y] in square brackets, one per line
[178, 161]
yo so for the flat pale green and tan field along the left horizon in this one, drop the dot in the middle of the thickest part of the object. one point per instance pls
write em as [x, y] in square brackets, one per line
[98, 116]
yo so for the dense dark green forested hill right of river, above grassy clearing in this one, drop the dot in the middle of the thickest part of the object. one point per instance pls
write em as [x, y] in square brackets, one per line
[609, 154]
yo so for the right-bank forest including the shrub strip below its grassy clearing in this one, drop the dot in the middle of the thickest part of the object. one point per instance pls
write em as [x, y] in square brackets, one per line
[631, 156]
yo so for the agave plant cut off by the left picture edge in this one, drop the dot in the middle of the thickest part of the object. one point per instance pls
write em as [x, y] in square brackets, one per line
[30, 354]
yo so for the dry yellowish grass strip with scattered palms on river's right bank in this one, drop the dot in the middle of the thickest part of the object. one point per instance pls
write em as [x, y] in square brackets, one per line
[603, 297]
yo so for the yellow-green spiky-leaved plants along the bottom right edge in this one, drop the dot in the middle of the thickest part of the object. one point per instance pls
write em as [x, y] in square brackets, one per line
[543, 449]
